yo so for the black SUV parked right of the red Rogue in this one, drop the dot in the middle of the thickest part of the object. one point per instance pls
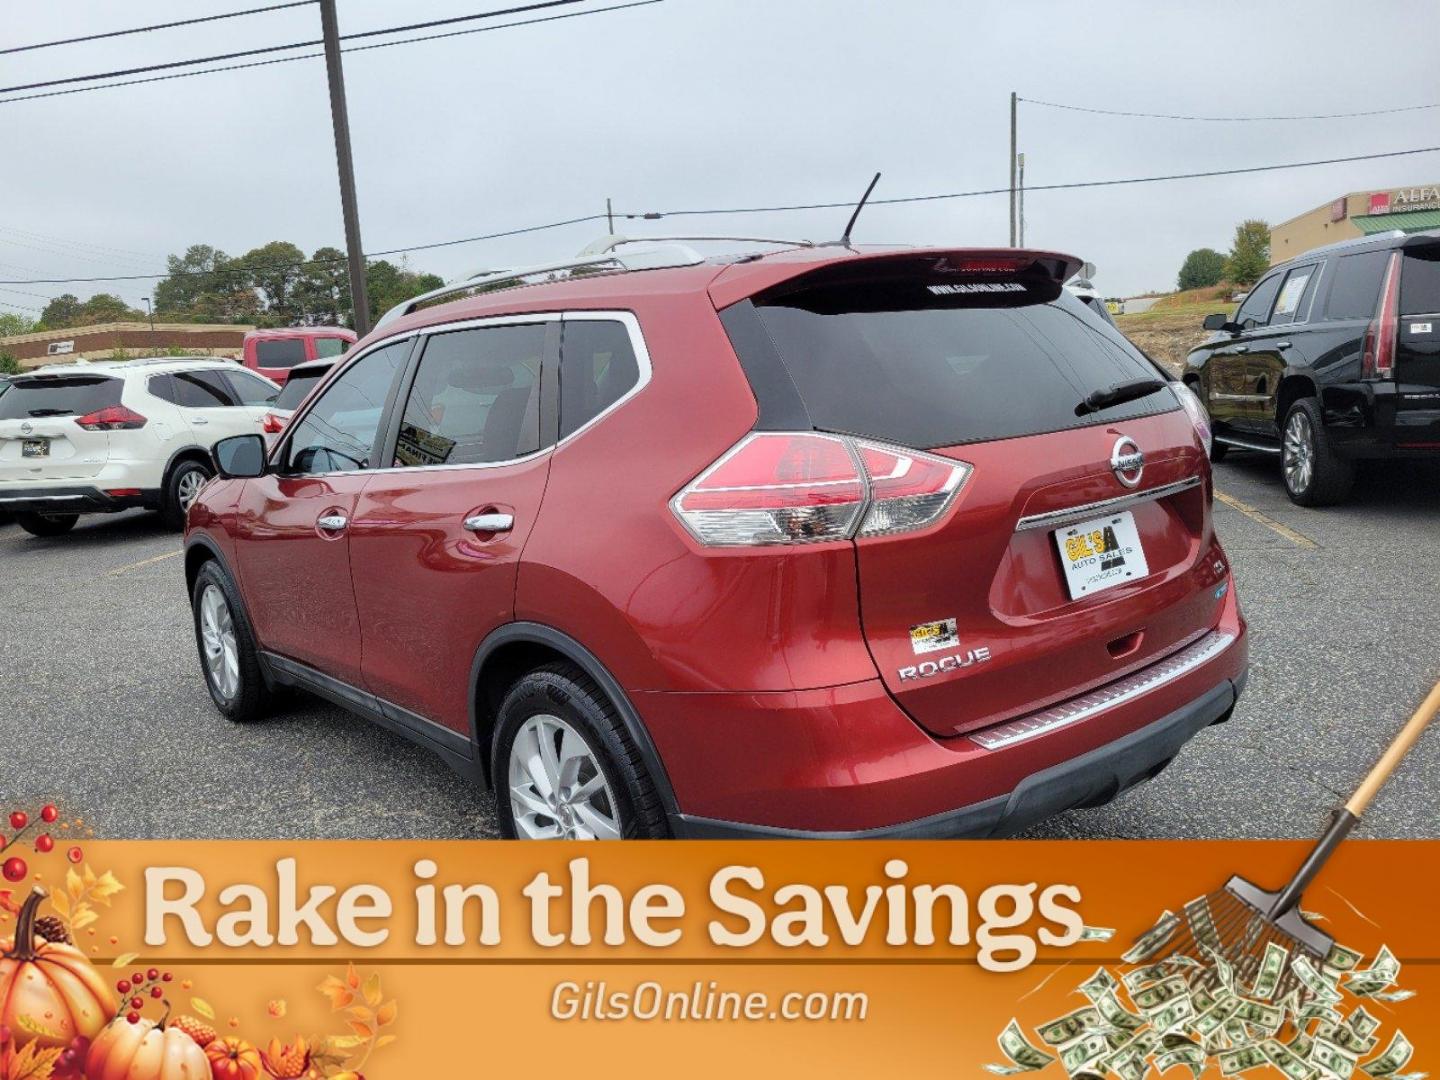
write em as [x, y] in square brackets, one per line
[1331, 359]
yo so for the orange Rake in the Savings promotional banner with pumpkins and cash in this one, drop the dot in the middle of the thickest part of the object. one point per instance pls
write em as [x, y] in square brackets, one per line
[456, 960]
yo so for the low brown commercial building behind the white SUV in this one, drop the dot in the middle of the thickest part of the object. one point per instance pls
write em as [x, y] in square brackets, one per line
[125, 341]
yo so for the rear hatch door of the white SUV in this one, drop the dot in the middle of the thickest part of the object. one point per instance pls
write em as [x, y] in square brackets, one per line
[40, 438]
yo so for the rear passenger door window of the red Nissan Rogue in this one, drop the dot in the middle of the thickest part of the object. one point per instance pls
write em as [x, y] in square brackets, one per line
[476, 398]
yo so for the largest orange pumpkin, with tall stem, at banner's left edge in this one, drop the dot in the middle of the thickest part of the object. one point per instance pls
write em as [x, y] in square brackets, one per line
[50, 993]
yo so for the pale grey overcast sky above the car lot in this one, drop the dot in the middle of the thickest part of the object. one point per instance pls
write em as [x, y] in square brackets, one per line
[701, 104]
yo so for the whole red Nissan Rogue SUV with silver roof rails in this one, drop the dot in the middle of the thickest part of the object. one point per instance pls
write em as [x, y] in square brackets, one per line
[827, 542]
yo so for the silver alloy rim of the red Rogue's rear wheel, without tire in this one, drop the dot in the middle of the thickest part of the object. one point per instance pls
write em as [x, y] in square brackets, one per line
[558, 788]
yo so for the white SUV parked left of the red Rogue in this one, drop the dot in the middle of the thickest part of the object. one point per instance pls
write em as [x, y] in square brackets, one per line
[102, 437]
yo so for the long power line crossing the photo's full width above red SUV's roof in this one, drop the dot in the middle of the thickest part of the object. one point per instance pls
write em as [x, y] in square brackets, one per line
[657, 215]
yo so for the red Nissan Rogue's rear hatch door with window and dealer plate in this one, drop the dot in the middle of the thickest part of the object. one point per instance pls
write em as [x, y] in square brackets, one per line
[977, 620]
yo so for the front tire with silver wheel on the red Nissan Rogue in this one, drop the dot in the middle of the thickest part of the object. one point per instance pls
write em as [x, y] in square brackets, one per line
[230, 657]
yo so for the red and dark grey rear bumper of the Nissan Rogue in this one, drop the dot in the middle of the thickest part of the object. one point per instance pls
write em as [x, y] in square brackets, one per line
[849, 762]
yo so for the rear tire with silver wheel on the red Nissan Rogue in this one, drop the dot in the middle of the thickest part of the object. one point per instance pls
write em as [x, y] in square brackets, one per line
[591, 786]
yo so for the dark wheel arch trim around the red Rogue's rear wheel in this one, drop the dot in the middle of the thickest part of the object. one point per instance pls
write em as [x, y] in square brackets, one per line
[519, 647]
